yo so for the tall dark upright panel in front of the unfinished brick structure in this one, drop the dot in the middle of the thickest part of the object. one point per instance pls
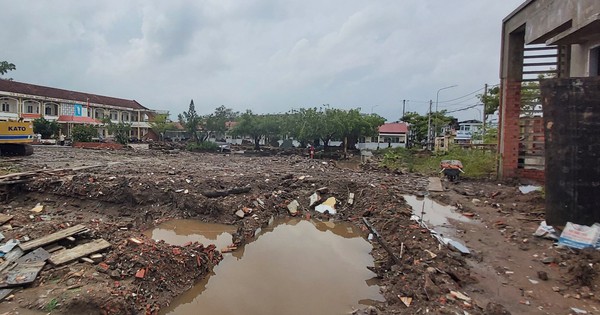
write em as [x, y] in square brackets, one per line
[572, 119]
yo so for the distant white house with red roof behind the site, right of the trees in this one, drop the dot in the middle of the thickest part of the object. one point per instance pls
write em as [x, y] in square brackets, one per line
[390, 135]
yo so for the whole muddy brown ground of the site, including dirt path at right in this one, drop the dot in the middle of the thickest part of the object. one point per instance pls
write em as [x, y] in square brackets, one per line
[131, 191]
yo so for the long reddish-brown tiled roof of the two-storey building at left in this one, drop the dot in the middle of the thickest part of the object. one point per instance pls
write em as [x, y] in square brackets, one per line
[44, 91]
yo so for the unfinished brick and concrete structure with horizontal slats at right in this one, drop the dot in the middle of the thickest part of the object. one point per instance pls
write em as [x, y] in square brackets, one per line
[540, 37]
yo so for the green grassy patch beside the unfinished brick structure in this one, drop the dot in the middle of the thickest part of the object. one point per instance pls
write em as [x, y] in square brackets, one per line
[477, 163]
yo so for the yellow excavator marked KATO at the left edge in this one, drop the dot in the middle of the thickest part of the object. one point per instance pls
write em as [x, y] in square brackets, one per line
[16, 138]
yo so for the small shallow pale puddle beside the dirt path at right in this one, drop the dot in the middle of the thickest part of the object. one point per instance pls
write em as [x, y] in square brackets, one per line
[432, 212]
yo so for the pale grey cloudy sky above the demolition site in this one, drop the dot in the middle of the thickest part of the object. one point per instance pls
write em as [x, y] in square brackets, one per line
[265, 55]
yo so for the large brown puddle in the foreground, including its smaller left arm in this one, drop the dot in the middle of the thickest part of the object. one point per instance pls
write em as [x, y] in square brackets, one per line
[293, 266]
